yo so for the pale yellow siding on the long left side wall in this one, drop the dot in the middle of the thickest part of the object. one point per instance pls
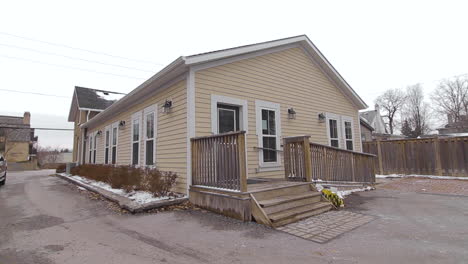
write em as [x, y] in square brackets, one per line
[171, 147]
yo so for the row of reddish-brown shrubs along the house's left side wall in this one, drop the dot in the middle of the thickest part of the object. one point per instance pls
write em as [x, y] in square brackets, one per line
[129, 178]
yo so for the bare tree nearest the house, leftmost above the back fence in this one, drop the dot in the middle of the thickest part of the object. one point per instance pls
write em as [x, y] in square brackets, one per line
[391, 101]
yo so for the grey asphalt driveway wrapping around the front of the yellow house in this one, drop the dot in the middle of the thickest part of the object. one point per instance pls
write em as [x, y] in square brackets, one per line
[46, 220]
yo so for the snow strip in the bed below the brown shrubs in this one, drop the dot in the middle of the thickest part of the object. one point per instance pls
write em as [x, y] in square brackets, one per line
[140, 197]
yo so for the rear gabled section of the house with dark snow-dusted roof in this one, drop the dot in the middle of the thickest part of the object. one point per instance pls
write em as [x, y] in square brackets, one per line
[86, 104]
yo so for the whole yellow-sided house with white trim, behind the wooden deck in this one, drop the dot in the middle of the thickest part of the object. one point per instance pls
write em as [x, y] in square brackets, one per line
[271, 90]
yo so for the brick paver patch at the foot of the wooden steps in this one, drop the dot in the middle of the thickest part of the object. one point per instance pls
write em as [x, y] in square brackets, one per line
[324, 227]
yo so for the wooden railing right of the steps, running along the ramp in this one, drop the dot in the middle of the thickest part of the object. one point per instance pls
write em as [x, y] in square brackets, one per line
[305, 161]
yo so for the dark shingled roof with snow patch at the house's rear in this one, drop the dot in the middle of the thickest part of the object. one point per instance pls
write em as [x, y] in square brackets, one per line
[90, 98]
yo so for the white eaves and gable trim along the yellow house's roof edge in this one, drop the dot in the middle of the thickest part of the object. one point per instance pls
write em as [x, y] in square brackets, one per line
[182, 64]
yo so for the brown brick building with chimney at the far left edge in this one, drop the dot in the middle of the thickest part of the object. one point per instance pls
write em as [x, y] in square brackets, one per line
[17, 138]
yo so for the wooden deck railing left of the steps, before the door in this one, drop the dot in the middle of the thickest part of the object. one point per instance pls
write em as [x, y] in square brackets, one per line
[219, 161]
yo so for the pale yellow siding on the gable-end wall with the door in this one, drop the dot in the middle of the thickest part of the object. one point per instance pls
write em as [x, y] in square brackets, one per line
[289, 78]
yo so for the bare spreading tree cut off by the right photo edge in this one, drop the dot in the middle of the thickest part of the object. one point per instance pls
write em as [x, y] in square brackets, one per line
[451, 97]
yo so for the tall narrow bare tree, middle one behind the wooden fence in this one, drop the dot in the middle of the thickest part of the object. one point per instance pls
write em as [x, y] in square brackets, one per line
[416, 112]
